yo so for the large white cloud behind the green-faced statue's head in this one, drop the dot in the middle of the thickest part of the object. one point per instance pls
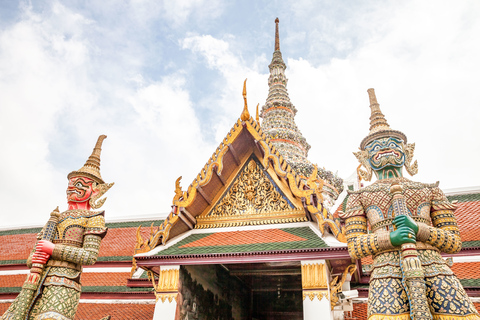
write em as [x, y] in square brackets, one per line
[422, 64]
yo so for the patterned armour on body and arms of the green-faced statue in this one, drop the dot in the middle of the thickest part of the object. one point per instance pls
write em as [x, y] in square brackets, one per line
[438, 232]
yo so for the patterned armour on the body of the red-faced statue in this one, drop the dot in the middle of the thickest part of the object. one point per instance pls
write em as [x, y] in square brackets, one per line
[77, 243]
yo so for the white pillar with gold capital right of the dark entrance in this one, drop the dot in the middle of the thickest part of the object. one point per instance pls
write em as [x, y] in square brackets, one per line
[316, 293]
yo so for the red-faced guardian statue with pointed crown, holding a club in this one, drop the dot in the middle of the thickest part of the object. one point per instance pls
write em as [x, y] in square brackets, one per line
[68, 241]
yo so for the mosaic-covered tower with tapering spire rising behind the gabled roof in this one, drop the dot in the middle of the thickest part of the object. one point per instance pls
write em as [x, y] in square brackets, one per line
[278, 123]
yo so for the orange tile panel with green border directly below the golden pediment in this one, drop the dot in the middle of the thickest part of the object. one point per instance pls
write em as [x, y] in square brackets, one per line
[244, 237]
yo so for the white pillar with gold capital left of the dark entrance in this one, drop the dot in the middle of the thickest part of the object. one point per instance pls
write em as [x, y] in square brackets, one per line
[166, 292]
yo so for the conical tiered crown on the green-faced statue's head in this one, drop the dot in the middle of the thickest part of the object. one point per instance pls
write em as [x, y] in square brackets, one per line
[379, 127]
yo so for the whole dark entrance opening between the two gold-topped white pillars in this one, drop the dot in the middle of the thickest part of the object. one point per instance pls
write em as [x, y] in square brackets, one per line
[251, 291]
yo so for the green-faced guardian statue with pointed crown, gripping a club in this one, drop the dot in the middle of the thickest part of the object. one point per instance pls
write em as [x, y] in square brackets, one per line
[410, 223]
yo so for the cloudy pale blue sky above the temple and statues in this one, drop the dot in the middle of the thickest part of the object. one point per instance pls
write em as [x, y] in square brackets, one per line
[163, 80]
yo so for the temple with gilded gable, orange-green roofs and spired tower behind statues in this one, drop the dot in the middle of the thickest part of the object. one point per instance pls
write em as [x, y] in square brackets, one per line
[256, 235]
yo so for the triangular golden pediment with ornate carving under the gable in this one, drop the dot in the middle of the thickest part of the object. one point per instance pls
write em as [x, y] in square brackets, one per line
[252, 198]
